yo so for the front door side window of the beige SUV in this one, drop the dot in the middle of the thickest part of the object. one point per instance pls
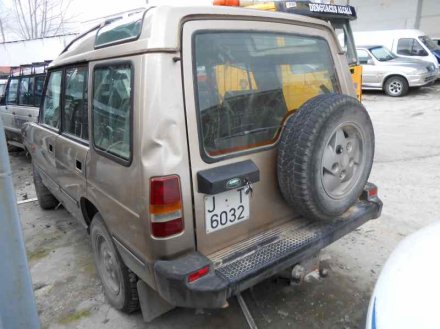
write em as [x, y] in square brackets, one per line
[52, 100]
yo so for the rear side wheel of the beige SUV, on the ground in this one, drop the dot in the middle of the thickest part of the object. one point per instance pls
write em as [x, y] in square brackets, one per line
[120, 284]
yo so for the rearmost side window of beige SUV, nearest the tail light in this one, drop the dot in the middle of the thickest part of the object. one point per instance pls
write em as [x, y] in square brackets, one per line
[112, 99]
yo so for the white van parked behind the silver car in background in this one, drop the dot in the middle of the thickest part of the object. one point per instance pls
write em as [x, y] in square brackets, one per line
[403, 43]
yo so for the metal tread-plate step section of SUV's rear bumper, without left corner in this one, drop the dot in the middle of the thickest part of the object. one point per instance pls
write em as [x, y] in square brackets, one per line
[285, 245]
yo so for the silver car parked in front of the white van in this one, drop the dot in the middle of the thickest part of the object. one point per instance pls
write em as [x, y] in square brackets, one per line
[383, 70]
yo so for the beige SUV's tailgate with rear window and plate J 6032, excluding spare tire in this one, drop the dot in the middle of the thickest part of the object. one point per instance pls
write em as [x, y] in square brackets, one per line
[237, 82]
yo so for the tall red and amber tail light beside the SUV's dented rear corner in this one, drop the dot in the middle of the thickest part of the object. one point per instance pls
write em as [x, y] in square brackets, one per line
[166, 213]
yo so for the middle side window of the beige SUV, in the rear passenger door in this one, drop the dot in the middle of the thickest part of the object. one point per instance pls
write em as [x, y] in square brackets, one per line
[75, 103]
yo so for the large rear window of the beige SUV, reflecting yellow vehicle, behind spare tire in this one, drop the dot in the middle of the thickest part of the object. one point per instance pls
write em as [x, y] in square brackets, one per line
[249, 82]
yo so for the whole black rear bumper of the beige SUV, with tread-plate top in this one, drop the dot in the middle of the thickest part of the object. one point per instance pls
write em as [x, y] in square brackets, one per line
[288, 246]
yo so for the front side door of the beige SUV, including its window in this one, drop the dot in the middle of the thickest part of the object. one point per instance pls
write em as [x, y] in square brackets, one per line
[45, 138]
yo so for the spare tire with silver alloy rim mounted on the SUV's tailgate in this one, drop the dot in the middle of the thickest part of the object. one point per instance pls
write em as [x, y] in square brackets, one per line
[325, 156]
